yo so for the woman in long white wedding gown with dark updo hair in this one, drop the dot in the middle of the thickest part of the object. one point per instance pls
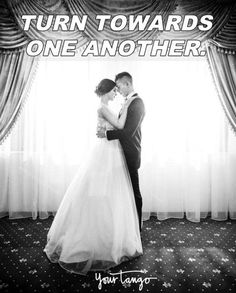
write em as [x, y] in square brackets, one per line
[96, 226]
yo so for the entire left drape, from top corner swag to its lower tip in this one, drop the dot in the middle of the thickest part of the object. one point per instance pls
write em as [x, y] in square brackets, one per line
[16, 70]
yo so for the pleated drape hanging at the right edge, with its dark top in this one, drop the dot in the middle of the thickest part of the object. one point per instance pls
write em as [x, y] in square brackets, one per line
[221, 53]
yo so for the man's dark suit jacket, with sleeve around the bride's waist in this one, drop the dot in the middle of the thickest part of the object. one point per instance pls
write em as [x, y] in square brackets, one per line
[130, 135]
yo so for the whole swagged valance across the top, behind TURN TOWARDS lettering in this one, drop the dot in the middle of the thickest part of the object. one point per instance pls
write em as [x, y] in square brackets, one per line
[12, 35]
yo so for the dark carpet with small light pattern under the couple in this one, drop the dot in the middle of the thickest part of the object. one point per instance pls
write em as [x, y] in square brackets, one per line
[179, 256]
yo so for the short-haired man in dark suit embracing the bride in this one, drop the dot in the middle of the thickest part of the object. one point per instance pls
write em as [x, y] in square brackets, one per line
[130, 135]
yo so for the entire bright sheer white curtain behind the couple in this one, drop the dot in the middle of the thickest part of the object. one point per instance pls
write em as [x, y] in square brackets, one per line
[189, 150]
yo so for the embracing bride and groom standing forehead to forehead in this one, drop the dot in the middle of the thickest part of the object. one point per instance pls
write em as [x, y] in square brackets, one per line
[98, 223]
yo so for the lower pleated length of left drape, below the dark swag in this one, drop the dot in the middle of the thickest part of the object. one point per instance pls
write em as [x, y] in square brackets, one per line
[16, 72]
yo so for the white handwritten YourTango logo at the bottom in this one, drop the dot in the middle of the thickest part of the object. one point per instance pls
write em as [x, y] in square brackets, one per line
[124, 278]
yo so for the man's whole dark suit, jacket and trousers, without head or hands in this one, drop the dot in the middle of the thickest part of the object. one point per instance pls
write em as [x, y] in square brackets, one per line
[130, 139]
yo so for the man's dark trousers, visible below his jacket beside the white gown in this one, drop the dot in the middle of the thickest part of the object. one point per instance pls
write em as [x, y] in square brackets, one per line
[137, 194]
